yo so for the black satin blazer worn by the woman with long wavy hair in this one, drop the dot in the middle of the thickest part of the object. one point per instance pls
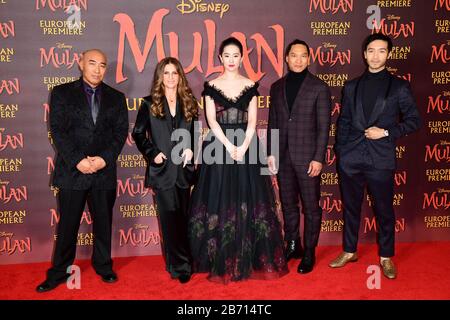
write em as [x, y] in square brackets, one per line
[152, 136]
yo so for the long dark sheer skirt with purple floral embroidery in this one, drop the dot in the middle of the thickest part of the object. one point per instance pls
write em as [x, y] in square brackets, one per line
[234, 231]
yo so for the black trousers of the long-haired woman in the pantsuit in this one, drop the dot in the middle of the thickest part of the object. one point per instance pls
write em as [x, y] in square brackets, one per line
[172, 208]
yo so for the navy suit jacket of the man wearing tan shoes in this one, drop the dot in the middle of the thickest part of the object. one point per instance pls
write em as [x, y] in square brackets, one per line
[394, 110]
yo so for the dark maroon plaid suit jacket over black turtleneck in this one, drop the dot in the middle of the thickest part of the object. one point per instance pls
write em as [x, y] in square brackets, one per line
[303, 132]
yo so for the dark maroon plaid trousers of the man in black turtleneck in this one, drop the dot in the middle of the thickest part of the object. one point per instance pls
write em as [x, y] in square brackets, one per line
[295, 184]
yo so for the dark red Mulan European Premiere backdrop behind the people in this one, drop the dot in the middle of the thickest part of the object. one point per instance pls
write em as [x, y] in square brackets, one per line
[41, 42]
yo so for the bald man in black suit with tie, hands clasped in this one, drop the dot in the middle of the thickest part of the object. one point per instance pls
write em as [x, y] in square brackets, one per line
[89, 126]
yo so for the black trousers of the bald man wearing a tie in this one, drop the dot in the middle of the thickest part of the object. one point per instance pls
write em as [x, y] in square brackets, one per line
[71, 205]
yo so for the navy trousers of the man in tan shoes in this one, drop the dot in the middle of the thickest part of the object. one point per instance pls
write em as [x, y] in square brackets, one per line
[356, 171]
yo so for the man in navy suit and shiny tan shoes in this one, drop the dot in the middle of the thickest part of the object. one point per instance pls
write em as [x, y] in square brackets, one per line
[367, 130]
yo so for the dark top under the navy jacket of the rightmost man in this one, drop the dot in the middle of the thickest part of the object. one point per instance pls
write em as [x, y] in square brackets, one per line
[372, 82]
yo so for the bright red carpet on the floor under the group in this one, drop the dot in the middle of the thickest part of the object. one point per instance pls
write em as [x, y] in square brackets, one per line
[424, 273]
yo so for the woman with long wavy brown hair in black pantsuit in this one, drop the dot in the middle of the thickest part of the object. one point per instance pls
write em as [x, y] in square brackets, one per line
[169, 111]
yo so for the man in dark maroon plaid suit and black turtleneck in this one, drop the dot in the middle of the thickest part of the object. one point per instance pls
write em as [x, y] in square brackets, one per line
[300, 109]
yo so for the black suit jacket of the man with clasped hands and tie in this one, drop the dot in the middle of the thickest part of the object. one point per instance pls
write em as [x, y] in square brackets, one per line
[76, 136]
